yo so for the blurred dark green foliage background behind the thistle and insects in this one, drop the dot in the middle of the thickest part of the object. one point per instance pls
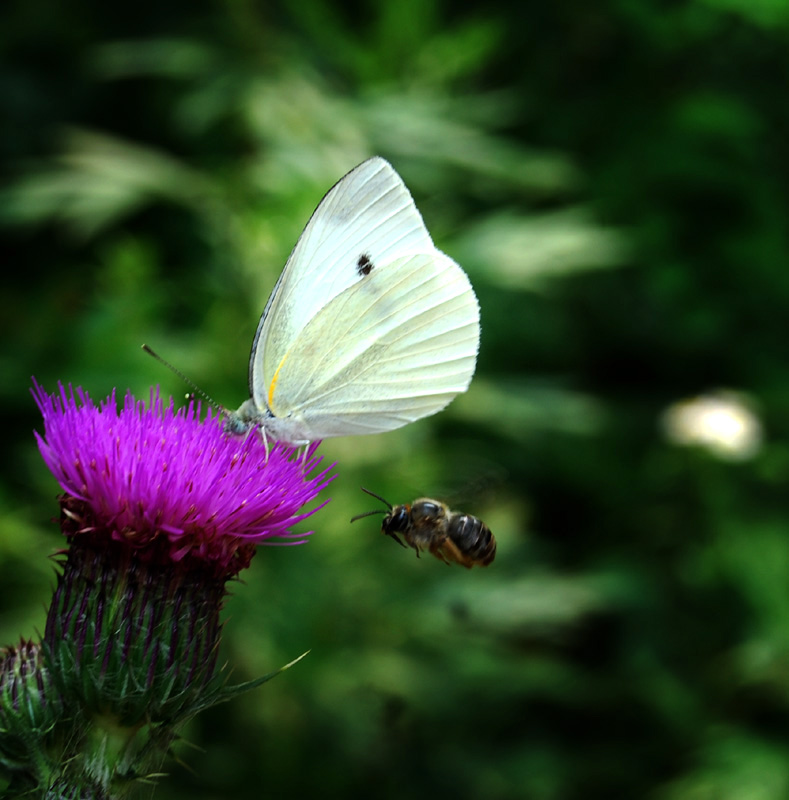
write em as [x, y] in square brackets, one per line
[613, 177]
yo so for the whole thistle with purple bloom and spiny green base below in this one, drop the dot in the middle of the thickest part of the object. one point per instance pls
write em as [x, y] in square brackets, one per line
[160, 509]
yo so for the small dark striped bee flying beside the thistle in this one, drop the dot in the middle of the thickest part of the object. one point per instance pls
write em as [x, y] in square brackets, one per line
[430, 525]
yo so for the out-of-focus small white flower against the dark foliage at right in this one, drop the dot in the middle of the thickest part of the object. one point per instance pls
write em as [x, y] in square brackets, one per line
[722, 422]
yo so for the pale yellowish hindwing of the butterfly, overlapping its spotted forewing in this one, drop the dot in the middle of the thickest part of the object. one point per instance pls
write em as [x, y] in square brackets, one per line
[386, 351]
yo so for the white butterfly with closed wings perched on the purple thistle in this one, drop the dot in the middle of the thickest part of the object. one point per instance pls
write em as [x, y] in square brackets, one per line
[369, 327]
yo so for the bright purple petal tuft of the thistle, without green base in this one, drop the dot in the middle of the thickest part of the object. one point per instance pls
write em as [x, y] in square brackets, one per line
[170, 486]
